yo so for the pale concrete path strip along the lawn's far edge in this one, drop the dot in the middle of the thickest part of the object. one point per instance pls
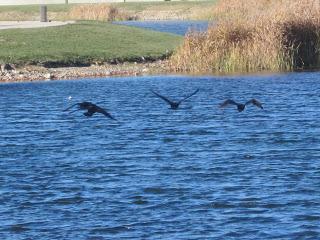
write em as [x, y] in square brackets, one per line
[30, 24]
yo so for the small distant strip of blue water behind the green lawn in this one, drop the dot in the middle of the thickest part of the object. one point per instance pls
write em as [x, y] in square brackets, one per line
[170, 26]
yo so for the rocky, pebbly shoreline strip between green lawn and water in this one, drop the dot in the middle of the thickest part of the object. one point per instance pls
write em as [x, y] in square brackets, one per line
[30, 73]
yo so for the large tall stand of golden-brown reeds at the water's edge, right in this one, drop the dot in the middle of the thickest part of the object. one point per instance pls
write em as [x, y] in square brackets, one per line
[251, 36]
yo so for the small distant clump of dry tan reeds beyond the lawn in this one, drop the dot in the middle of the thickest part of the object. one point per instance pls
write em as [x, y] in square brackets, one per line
[98, 12]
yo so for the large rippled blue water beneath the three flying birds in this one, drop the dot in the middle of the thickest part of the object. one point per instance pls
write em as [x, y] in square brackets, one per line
[196, 173]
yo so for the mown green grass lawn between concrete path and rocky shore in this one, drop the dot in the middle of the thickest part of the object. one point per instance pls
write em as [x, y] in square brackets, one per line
[83, 42]
